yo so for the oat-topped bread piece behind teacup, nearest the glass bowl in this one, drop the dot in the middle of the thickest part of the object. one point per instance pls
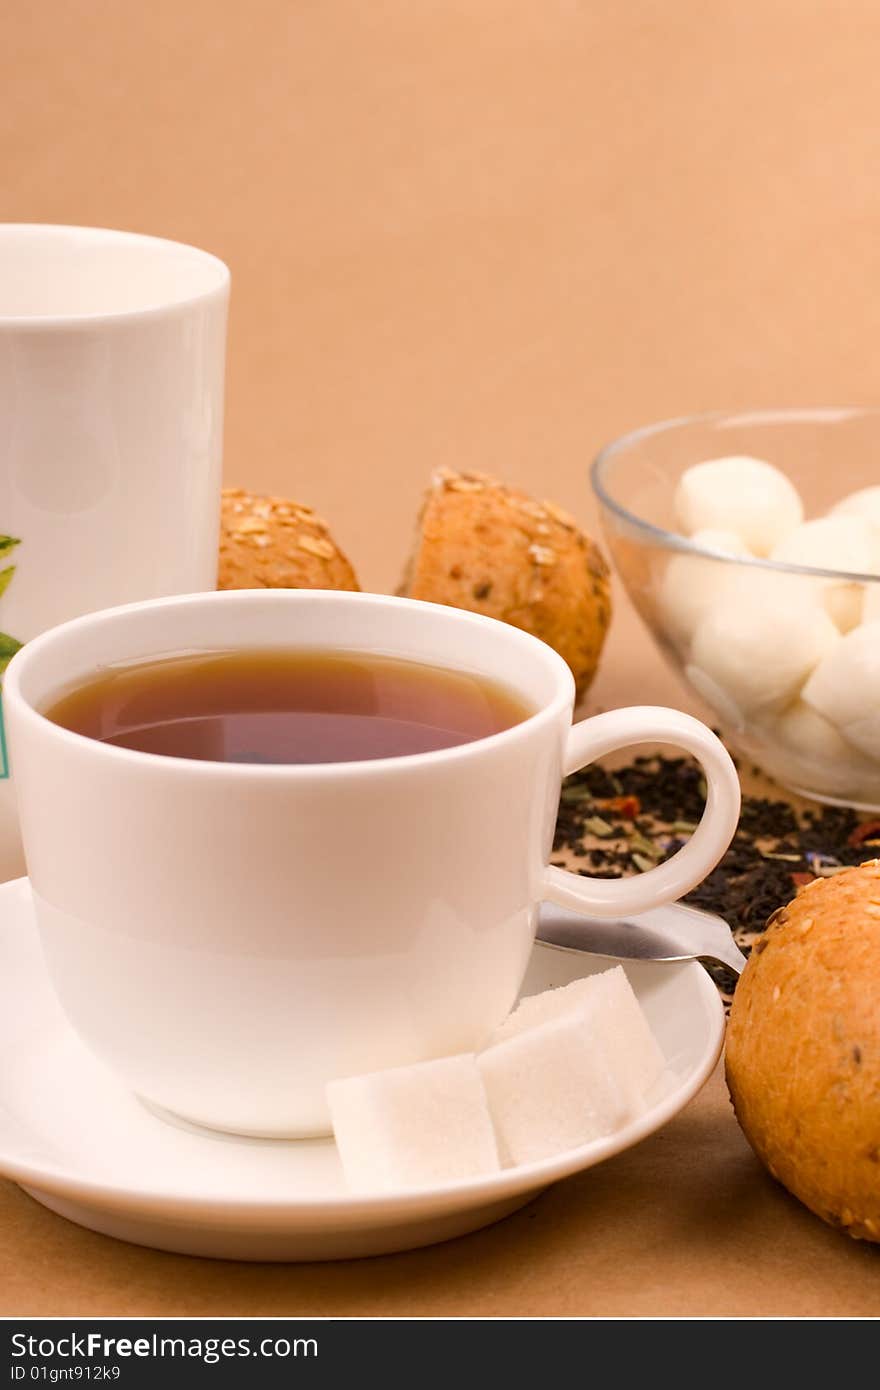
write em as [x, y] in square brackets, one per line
[491, 550]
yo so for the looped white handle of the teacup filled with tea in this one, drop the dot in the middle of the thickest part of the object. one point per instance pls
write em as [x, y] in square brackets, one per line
[651, 725]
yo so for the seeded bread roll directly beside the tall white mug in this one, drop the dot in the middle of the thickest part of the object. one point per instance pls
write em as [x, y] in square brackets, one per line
[276, 544]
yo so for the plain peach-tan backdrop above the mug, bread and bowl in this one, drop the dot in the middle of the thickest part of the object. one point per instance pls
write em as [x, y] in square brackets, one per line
[490, 233]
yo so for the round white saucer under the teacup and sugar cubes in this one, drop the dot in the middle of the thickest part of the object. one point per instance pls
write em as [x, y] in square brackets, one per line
[81, 1145]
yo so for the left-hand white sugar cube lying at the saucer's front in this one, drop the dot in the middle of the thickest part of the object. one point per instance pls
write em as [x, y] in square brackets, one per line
[414, 1127]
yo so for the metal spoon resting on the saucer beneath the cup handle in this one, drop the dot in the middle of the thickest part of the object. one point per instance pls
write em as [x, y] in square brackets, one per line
[671, 933]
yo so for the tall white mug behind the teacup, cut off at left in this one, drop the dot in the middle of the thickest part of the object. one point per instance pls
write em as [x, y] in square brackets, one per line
[112, 390]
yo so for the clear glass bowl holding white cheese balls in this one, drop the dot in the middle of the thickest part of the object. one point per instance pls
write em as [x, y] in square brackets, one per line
[746, 633]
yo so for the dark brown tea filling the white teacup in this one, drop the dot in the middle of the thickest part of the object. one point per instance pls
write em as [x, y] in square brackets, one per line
[287, 707]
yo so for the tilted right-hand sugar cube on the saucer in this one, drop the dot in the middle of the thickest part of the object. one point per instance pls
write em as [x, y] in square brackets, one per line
[569, 1067]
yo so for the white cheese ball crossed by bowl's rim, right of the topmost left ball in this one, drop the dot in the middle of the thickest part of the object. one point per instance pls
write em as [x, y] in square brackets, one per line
[836, 543]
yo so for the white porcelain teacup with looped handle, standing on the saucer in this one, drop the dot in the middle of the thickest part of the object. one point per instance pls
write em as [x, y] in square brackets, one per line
[230, 938]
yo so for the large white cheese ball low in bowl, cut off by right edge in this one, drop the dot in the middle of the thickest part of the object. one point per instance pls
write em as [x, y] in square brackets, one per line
[846, 689]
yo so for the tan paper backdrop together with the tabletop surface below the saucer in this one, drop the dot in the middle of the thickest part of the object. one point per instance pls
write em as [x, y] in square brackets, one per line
[496, 236]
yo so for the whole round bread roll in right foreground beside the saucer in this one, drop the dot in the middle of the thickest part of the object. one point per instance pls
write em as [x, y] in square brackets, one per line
[804, 1050]
